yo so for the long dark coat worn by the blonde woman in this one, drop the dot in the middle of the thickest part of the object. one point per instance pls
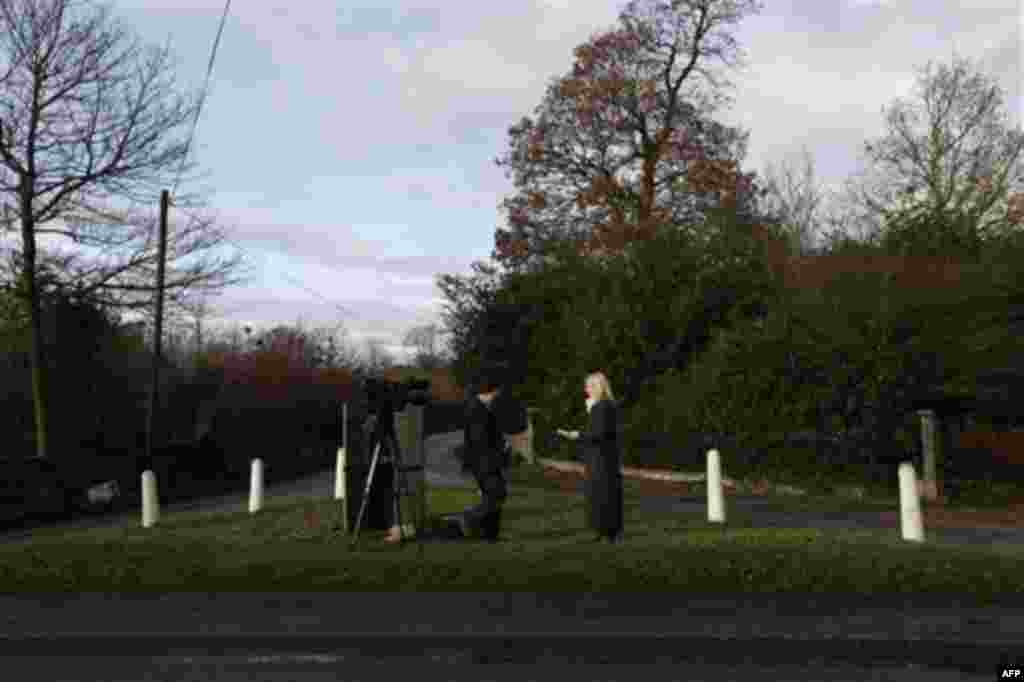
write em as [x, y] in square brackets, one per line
[603, 455]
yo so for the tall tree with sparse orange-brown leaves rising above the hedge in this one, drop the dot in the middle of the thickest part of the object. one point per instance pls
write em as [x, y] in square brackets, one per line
[624, 144]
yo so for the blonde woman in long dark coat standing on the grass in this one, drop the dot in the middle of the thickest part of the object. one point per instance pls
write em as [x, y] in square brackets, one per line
[604, 460]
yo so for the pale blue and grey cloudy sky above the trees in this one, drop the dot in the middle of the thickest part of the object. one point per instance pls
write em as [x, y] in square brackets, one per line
[352, 148]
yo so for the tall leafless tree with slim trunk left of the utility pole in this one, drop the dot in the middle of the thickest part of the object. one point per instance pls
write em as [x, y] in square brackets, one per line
[91, 122]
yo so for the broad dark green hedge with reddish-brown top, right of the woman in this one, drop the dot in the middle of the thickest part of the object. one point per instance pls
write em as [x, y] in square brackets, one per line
[852, 340]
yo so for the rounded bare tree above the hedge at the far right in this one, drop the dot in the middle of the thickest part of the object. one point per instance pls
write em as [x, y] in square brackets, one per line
[949, 174]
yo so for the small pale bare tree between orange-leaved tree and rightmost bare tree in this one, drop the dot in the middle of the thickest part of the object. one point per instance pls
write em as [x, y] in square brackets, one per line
[796, 199]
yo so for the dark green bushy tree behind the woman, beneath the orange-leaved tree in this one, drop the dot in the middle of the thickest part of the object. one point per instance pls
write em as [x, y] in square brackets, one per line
[633, 318]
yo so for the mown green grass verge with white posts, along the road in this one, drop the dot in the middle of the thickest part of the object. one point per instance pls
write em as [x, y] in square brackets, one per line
[545, 548]
